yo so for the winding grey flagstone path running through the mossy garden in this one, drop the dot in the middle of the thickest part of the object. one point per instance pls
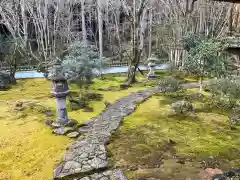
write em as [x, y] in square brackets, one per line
[86, 159]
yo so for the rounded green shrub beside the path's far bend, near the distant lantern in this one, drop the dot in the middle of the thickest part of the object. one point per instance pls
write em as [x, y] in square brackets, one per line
[169, 83]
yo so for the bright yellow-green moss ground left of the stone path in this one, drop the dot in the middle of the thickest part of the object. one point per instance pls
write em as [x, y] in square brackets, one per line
[28, 149]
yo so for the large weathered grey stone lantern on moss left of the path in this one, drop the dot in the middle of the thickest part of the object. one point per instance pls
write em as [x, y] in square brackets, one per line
[60, 91]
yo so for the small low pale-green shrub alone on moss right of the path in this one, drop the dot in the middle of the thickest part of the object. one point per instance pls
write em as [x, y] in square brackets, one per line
[182, 107]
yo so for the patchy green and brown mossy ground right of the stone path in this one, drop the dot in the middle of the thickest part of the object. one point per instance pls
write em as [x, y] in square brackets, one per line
[154, 144]
